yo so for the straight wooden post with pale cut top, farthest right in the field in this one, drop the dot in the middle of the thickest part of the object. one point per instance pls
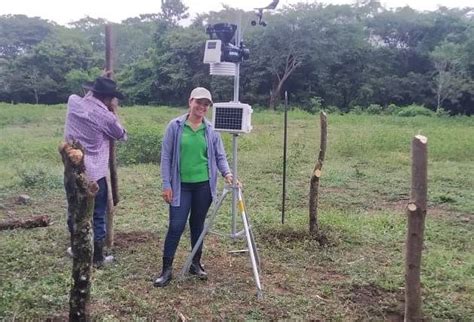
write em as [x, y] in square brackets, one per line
[416, 212]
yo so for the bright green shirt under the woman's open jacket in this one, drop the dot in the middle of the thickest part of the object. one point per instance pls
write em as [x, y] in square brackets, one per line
[193, 155]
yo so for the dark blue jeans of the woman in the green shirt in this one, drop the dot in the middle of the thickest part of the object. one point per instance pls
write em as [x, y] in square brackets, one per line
[197, 198]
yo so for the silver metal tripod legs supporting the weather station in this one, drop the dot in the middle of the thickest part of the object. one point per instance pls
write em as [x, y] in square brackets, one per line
[251, 246]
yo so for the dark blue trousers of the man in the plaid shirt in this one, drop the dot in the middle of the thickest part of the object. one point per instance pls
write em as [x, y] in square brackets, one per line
[100, 209]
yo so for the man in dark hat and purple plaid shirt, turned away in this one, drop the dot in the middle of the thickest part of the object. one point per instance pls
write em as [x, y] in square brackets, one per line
[92, 121]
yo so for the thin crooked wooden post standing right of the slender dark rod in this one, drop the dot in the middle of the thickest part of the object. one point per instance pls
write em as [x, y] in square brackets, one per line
[314, 183]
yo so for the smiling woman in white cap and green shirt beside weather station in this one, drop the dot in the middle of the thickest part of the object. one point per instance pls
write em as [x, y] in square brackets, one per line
[191, 154]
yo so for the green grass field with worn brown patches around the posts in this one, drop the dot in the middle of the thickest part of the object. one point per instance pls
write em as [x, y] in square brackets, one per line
[358, 275]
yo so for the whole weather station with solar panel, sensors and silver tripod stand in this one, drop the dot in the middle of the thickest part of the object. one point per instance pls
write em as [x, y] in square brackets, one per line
[224, 52]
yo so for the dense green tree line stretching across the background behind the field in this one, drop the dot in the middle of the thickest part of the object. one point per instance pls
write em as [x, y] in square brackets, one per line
[344, 56]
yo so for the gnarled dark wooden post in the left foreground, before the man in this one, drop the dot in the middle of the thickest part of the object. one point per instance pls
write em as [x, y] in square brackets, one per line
[80, 194]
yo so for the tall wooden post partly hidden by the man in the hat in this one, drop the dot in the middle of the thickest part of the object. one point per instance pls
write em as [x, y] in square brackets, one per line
[112, 181]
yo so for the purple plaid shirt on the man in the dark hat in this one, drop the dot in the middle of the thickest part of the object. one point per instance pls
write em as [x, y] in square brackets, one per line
[90, 122]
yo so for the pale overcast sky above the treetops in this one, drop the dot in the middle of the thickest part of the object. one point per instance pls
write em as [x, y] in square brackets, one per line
[65, 11]
